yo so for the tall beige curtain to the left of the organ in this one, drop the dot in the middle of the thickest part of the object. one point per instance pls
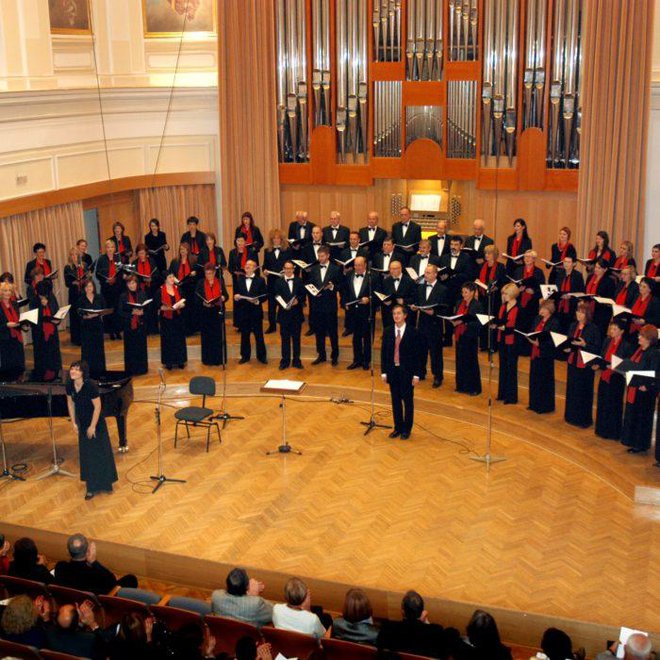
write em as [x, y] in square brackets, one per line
[248, 138]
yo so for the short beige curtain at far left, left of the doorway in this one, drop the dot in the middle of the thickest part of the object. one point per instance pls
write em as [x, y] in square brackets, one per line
[58, 227]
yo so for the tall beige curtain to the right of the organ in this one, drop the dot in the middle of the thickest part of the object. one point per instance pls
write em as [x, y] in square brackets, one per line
[617, 39]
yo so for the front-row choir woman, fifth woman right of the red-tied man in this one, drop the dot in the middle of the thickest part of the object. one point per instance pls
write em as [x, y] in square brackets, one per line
[609, 411]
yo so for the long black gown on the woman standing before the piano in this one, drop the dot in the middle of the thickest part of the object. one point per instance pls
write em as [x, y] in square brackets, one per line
[97, 464]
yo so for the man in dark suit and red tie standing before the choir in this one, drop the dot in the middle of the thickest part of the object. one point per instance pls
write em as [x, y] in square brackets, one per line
[401, 369]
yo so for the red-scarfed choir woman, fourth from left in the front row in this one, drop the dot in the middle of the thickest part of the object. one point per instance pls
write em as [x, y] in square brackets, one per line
[135, 328]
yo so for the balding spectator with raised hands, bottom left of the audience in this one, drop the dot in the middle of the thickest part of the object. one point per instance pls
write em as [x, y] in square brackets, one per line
[76, 632]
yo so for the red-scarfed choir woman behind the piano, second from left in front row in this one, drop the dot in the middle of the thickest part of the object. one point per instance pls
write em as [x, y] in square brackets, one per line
[45, 338]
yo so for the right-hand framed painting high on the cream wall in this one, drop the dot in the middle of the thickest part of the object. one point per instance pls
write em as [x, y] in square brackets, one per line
[168, 18]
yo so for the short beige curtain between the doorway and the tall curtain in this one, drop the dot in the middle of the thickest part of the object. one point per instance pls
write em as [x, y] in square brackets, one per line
[173, 205]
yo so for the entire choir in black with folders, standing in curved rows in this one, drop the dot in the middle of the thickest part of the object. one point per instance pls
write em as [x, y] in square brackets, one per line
[452, 291]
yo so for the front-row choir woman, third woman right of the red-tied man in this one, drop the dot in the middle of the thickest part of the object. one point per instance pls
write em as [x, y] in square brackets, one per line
[542, 360]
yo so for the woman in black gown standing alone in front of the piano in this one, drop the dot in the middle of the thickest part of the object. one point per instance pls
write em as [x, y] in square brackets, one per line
[97, 464]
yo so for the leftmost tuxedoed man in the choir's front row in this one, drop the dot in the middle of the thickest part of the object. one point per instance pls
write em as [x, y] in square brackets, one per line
[251, 312]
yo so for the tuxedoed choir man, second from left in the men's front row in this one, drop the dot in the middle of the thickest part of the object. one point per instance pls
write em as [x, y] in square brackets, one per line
[290, 290]
